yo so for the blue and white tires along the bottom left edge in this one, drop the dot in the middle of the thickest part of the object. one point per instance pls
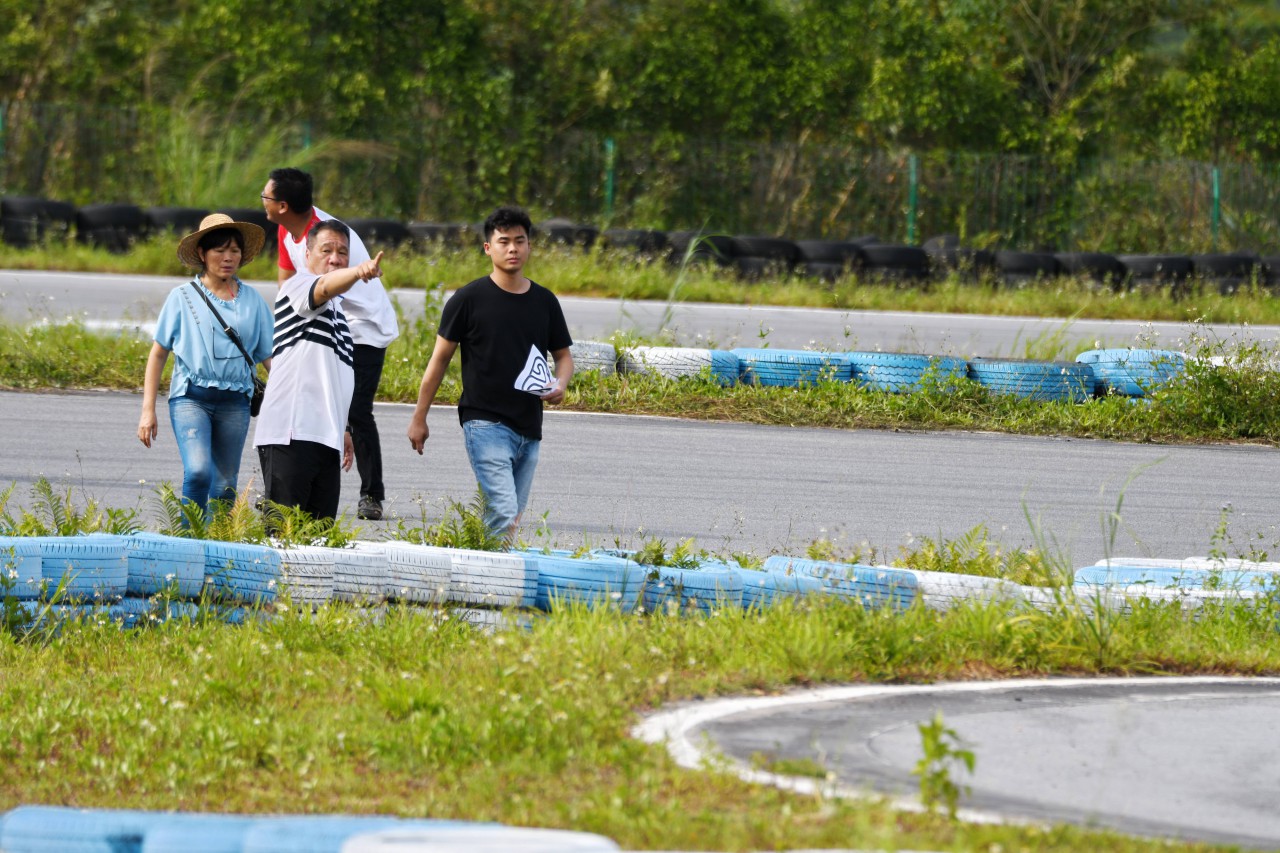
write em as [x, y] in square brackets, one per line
[51, 829]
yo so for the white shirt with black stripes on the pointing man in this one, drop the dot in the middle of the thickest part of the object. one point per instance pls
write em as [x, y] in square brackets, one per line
[313, 376]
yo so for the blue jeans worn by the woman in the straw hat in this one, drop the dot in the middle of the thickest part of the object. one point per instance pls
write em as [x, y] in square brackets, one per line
[211, 426]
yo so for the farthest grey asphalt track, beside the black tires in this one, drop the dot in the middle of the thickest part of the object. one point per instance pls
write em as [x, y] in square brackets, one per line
[97, 298]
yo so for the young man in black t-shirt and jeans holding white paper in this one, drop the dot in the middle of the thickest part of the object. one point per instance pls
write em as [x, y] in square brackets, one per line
[505, 325]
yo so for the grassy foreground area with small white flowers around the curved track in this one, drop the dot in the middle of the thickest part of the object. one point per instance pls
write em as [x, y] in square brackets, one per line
[419, 715]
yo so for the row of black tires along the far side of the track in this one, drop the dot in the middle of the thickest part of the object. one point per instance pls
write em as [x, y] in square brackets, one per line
[26, 221]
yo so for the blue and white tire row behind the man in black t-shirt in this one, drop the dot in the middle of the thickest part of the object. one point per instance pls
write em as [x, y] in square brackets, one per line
[1095, 373]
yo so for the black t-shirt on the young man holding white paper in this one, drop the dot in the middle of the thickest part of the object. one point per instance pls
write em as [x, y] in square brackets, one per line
[497, 332]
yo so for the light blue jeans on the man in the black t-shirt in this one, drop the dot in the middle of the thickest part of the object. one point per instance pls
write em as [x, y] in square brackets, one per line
[504, 463]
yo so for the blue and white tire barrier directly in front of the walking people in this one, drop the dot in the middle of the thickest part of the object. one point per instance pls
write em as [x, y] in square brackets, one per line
[122, 578]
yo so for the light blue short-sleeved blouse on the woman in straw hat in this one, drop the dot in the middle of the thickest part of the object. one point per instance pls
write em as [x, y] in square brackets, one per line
[203, 353]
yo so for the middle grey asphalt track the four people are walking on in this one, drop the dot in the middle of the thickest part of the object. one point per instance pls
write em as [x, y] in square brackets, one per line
[733, 486]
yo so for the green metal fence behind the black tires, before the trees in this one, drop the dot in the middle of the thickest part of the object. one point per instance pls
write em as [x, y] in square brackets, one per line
[88, 154]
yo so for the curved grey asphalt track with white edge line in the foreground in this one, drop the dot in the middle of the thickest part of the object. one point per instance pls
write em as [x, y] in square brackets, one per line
[1188, 759]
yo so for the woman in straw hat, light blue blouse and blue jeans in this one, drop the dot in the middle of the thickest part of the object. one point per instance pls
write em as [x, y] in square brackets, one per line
[213, 382]
